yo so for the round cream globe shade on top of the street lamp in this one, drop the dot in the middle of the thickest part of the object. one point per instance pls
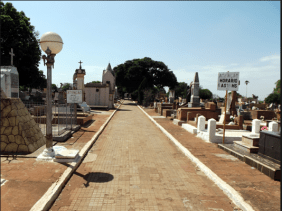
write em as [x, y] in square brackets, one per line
[51, 40]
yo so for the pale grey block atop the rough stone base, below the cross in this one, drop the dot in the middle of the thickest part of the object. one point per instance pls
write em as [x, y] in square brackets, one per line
[10, 81]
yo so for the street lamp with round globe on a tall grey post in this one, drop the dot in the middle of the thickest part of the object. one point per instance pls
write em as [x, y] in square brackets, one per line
[51, 43]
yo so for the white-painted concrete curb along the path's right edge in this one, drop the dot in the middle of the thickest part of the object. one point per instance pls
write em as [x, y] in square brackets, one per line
[227, 189]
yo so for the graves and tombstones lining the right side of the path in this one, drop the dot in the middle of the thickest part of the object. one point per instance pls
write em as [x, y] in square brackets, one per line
[251, 132]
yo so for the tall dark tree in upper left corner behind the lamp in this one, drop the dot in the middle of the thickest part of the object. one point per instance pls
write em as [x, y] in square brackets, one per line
[18, 33]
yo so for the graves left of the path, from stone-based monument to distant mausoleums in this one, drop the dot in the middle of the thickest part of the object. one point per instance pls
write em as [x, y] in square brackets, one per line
[23, 114]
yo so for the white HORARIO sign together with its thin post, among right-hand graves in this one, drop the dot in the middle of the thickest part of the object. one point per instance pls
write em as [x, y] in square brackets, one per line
[227, 81]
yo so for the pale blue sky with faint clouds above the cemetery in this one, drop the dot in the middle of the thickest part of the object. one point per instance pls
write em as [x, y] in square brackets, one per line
[207, 37]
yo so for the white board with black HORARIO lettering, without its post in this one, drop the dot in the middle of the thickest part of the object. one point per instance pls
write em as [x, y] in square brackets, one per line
[228, 81]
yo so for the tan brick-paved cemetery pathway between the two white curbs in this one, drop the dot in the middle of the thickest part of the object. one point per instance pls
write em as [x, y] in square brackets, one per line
[134, 166]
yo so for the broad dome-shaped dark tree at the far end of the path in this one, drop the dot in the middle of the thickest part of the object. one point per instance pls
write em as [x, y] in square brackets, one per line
[137, 75]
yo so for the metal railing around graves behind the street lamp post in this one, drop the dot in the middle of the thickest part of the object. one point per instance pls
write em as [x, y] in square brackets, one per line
[63, 117]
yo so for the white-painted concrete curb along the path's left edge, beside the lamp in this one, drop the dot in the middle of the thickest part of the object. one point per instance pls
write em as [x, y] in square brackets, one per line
[45, 202]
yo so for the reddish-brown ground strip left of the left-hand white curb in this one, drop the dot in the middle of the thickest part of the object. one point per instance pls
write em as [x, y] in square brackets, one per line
[28, 179]
